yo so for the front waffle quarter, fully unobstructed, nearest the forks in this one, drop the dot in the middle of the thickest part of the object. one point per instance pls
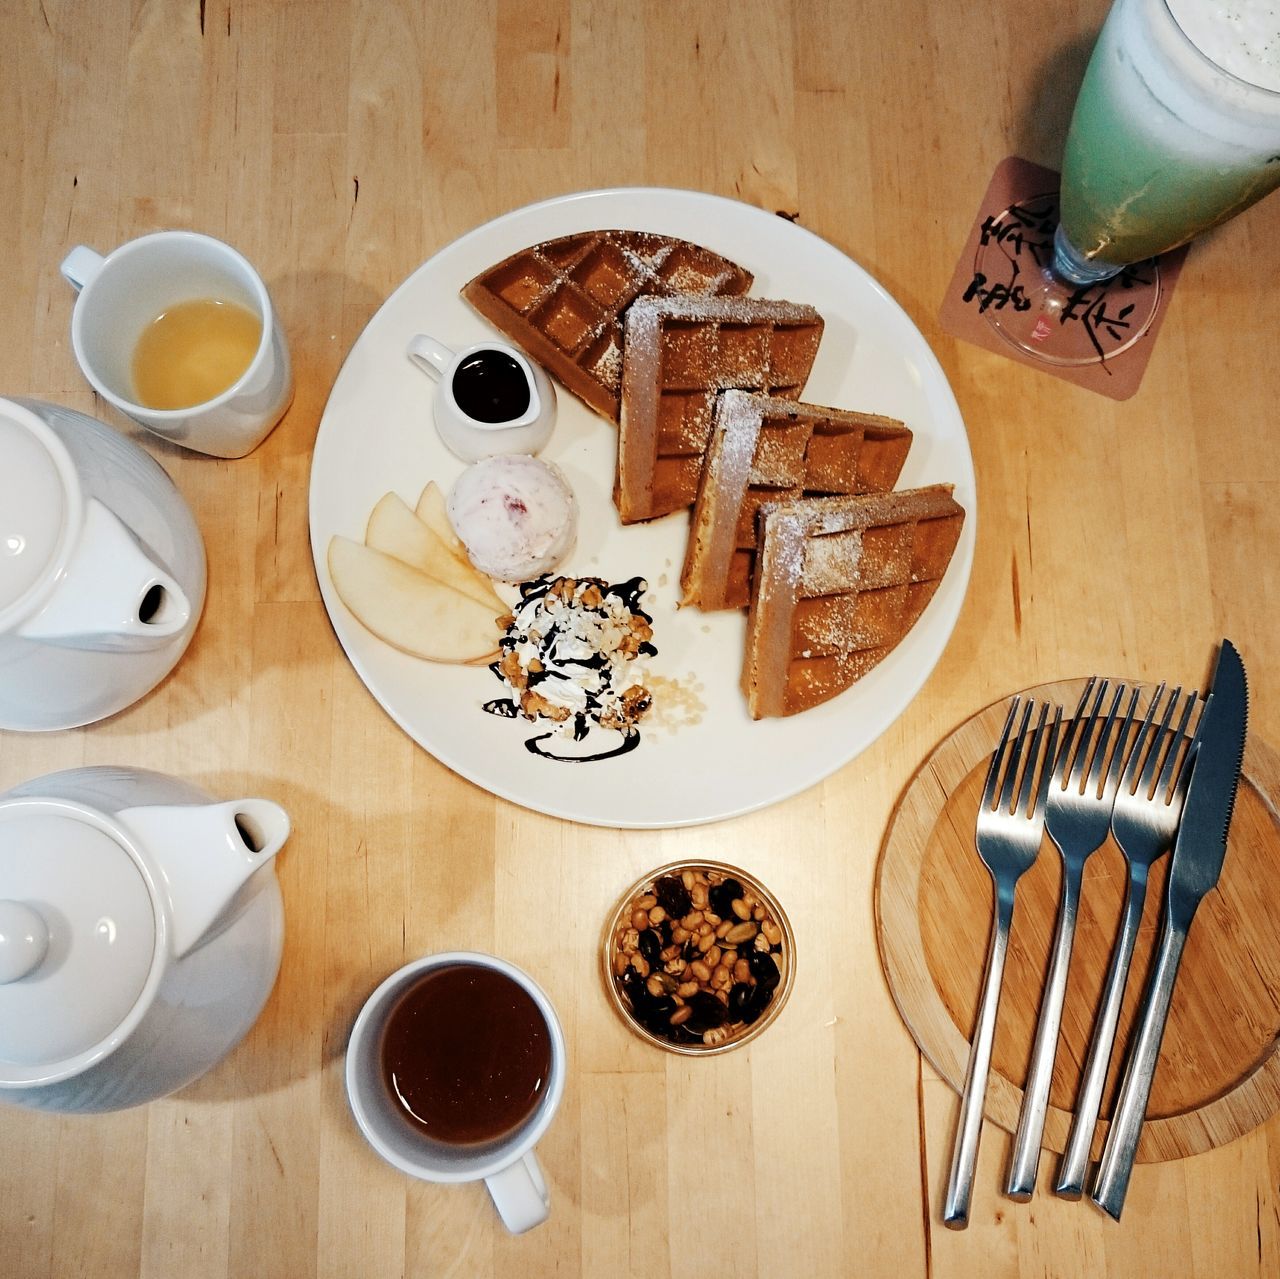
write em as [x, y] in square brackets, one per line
[839, 582]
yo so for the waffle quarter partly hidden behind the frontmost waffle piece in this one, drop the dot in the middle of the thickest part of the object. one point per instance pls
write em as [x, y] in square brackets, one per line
[769, 450]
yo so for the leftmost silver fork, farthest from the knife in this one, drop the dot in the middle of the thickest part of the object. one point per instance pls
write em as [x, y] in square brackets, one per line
[1011, 826]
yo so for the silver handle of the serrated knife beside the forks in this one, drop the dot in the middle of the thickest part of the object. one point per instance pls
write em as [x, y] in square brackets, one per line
[1122, 1145]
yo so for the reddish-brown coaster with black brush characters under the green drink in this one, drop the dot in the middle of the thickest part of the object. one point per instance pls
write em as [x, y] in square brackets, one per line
[1109, 330]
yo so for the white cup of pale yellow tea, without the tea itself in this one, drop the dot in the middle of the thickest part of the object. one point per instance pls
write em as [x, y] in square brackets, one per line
[122, 294]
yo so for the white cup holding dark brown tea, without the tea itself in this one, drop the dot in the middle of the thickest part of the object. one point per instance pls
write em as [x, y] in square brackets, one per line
[509, 1166]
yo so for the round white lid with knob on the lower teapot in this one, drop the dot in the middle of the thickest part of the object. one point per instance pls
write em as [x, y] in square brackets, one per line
[77, 939]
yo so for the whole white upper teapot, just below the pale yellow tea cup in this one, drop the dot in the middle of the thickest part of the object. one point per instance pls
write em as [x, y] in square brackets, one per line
[102, 569]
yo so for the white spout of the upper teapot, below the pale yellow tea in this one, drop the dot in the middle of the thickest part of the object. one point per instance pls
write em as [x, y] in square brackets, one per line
[113, 597]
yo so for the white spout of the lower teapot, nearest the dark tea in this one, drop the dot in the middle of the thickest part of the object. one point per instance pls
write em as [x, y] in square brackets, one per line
[207, 857]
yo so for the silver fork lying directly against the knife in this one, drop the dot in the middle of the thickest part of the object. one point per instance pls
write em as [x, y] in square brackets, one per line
[1145, 823]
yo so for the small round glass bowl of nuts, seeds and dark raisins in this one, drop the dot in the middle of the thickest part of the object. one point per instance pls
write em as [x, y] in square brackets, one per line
[698, 958]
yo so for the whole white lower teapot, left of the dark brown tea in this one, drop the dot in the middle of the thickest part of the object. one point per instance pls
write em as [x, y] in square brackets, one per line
[141, 928]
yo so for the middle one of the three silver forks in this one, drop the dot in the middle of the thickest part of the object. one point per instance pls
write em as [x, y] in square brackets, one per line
[1078, 816]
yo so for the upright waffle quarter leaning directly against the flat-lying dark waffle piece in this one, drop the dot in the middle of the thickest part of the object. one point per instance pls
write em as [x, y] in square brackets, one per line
[679, 354]
